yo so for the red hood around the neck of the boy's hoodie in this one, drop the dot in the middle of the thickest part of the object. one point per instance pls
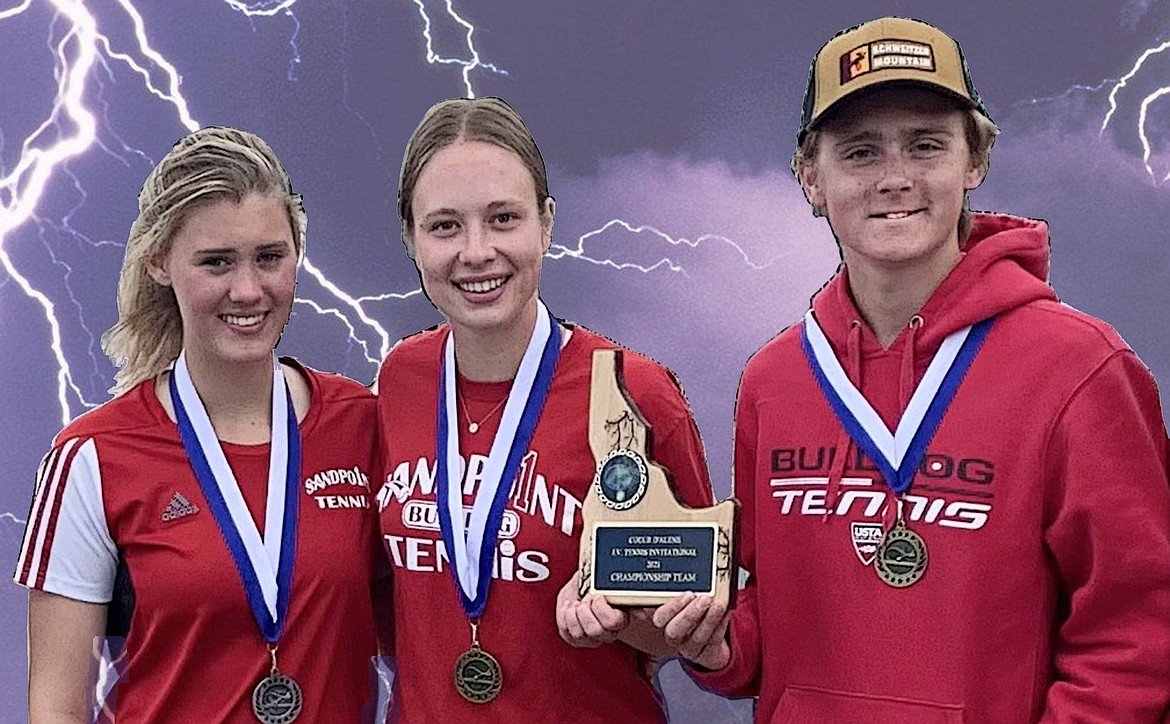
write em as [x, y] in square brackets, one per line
[1004, 266]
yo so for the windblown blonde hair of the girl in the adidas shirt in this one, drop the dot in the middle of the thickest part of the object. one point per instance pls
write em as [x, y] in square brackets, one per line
[207, 167]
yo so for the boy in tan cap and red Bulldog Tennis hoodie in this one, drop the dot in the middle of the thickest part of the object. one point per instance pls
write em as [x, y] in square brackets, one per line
[955, 488]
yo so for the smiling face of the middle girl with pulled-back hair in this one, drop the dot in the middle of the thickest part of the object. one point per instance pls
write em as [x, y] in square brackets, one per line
[479, 237]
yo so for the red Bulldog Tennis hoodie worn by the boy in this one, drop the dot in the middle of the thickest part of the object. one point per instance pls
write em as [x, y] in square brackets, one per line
[1043, 501]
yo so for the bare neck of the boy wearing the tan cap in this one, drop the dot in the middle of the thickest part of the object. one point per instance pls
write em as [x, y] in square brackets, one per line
[889, 297]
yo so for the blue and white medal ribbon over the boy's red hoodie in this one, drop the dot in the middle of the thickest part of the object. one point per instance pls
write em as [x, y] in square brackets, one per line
[897, 454]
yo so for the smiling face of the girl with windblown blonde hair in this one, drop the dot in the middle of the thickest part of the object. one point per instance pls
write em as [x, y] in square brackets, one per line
[233, 272]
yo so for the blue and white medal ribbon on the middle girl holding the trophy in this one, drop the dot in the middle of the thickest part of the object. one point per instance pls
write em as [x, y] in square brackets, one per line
[472, 546]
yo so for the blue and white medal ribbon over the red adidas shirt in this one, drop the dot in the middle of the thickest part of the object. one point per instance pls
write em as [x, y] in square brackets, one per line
[265, 564]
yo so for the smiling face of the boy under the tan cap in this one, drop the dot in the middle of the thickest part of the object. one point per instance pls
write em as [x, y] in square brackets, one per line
[891, 173]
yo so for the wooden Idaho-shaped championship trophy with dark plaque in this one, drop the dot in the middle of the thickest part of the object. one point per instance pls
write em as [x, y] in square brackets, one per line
[641, 547]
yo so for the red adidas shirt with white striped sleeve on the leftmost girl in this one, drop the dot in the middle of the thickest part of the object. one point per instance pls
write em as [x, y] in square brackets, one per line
[118, 494]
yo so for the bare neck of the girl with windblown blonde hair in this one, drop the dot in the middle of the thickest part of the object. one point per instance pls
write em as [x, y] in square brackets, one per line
[238, 398]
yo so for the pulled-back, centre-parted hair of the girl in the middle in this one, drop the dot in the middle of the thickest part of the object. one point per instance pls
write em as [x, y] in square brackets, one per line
[488, 120]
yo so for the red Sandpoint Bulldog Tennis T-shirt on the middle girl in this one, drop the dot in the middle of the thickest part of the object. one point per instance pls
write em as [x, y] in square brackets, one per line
[545, 679]
